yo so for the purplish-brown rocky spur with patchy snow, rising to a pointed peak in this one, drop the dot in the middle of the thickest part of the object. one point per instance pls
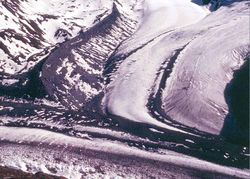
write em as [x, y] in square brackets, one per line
[73, 73]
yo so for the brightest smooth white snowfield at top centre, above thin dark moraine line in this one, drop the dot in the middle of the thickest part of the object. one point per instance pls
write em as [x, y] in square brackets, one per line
[163, 15]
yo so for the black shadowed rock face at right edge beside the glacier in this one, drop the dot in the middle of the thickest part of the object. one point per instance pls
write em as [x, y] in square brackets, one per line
[236, 126]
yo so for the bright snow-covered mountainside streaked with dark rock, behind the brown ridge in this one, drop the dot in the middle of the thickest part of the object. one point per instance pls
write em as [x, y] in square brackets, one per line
[28, 27]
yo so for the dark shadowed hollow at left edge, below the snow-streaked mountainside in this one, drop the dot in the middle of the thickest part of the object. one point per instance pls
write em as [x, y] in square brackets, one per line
[25, 83]
